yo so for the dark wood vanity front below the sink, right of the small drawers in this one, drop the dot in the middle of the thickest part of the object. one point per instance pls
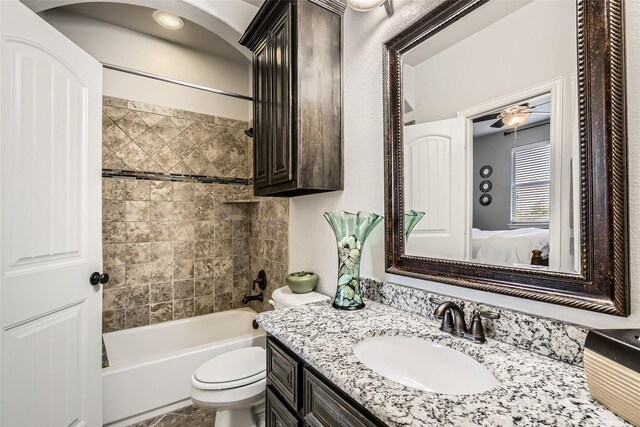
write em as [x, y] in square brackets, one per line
[323, 407]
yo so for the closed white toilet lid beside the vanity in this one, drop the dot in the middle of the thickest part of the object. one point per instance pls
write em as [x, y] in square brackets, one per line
[240, 367]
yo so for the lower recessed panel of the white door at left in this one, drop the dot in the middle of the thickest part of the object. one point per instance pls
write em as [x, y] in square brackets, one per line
[58, 345]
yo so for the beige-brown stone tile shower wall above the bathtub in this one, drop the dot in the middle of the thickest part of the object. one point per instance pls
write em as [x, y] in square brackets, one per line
[176, 249]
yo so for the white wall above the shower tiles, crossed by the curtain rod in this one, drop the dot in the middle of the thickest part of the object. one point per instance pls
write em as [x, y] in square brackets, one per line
[119, 46]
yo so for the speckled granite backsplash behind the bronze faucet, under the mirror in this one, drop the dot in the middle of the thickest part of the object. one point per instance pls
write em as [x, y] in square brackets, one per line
[548, 337]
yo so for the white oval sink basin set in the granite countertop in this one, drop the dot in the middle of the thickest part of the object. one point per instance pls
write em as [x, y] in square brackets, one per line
[424, 365]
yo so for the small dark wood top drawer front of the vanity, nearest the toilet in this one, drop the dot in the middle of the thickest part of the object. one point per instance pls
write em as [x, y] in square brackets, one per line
[283, 373]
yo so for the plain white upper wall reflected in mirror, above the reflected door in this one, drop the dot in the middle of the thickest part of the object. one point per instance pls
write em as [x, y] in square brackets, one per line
[539, 46]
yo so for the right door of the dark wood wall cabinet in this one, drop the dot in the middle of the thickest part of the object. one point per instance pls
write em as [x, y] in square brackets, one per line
[281, 154]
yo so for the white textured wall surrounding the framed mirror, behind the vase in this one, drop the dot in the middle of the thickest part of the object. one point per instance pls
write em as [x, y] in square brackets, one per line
[311, 242]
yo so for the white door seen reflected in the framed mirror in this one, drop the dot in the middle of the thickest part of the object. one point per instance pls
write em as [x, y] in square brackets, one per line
[435, 183]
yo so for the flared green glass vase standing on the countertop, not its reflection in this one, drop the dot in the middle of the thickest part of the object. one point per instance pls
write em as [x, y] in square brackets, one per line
[351, 231]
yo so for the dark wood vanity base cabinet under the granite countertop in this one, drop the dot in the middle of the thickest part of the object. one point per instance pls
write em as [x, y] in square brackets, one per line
[297, 395]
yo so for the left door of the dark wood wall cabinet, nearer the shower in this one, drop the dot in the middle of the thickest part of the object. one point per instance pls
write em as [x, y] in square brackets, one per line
[262, 115]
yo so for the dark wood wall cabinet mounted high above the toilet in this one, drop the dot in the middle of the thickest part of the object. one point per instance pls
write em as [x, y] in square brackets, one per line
[297, 90]
